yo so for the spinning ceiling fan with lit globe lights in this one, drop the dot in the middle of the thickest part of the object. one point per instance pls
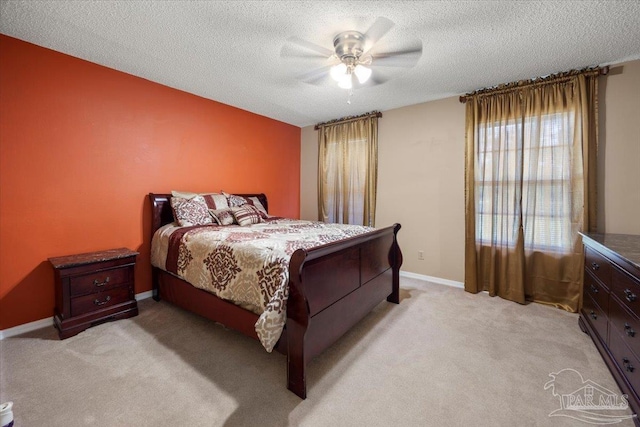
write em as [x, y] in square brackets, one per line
[357, 59]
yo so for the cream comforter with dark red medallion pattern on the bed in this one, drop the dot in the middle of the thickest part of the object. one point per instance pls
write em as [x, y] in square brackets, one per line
[248, 265]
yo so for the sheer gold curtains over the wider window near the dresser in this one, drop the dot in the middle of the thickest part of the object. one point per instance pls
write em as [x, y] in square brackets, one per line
[530, 180]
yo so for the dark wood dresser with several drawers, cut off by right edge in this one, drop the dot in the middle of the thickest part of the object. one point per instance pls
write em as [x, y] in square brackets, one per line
[611, 306]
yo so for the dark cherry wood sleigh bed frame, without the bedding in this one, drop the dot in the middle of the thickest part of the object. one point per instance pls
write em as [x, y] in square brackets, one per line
[331, 288]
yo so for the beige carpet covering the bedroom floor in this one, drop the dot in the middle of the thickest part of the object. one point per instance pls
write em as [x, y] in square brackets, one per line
[442, 357]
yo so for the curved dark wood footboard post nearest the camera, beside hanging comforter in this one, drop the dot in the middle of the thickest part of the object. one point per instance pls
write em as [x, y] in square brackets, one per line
[297, 323]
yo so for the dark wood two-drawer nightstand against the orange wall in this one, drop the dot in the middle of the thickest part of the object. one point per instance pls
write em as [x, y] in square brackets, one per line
[93, 288]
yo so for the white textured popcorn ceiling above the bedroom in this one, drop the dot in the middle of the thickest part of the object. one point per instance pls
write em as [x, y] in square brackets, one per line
[230, 51]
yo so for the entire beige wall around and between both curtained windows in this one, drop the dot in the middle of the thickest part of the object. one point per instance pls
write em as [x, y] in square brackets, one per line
[421, 173]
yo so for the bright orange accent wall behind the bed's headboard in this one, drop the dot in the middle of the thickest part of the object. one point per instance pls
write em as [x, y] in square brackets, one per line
[81, 146]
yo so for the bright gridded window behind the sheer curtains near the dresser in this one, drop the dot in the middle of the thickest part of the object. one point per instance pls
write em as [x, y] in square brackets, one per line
[524, 171]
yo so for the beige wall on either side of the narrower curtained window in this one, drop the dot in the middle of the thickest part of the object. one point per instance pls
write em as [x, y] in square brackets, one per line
[420, 183]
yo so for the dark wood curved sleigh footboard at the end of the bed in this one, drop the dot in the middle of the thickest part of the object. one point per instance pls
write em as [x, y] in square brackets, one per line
[331, 288]
